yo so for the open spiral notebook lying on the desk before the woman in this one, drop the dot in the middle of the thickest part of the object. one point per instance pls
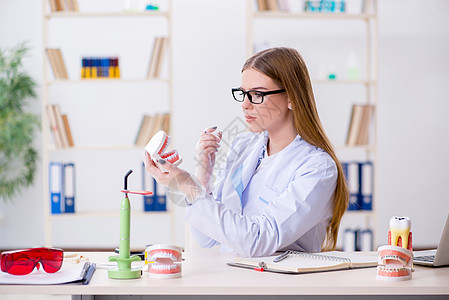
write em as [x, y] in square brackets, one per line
[301, 262]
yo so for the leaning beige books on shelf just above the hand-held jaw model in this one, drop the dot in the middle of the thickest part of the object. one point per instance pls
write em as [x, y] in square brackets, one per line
[150, 125]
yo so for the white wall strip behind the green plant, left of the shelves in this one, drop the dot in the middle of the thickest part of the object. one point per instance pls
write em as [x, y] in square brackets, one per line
[21, 221]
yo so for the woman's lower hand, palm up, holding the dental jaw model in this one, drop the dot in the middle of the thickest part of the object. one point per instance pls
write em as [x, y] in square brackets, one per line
[173, 177]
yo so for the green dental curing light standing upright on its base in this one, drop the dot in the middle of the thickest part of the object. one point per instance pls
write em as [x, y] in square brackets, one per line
[124, 259]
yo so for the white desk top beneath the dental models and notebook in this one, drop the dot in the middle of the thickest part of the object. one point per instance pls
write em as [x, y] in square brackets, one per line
[206, 273]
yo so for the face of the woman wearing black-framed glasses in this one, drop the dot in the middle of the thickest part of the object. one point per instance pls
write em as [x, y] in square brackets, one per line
[273, 113]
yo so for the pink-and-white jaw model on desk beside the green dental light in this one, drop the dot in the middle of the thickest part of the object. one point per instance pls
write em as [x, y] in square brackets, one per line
[164, 261]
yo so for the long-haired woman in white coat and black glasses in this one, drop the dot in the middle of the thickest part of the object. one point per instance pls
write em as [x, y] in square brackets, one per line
[282, 186]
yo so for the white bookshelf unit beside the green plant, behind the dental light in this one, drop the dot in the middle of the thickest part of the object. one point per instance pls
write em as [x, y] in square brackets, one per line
[106, 148]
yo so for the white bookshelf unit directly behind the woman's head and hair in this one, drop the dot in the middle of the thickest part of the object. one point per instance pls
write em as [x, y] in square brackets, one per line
[293, 27]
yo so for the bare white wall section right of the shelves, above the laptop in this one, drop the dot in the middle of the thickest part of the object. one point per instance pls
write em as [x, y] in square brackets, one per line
[413, 127]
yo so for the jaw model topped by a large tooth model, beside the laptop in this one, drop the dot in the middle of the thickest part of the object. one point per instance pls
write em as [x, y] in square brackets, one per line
[395, 259]
